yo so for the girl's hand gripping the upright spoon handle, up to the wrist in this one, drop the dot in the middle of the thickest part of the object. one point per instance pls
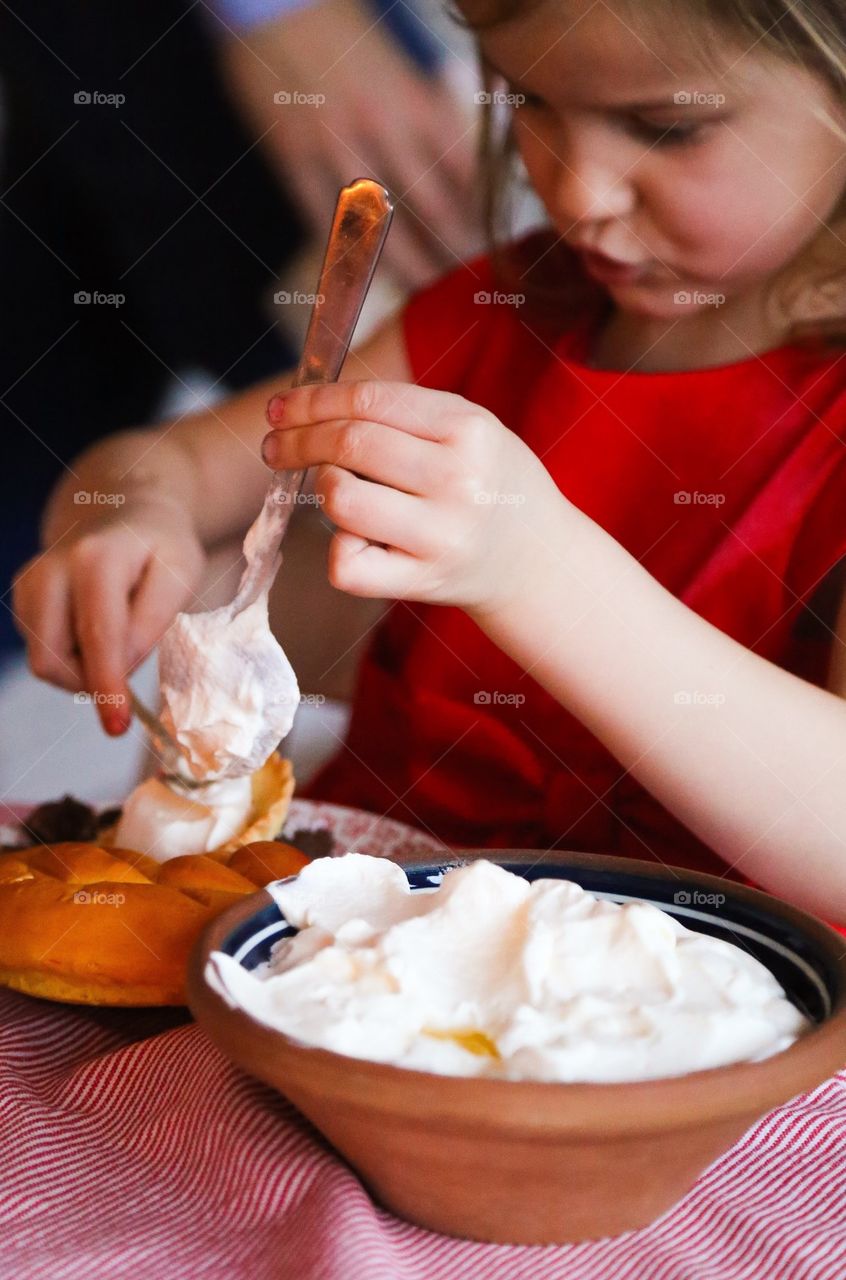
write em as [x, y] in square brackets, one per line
[433, 497]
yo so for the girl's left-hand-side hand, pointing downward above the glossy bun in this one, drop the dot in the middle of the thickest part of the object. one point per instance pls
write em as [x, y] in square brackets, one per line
[94, 605]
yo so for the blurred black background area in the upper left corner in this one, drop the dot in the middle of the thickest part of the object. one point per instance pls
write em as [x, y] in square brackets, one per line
[161, 199]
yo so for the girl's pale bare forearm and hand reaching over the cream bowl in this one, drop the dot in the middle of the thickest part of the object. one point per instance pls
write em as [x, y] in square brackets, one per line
[437, 501]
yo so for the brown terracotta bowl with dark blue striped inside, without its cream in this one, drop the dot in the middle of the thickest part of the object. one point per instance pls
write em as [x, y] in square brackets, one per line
[529, 1163]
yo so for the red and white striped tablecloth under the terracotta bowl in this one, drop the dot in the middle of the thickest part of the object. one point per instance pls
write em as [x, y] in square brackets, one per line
[130, 1148]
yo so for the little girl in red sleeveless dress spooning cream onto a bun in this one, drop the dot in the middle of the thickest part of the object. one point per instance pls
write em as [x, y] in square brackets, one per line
[612, 510]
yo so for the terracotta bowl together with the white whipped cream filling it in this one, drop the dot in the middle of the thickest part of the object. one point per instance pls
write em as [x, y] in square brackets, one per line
[509, 1057]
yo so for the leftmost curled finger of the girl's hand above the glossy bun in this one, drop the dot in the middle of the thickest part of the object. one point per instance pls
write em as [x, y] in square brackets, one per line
[45, 620]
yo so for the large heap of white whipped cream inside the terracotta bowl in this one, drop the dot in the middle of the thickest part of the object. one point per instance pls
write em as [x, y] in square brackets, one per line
[492, 976]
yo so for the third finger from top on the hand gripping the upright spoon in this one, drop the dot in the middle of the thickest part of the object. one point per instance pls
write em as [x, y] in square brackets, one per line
[376, 513]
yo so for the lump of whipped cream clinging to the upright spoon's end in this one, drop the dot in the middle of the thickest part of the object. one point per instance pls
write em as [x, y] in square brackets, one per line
[228, 692]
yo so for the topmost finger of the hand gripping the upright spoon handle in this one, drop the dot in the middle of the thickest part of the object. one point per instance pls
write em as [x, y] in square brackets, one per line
[420, 412]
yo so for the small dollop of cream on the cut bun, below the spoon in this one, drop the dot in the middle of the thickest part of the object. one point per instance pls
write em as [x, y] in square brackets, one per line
[166, 822]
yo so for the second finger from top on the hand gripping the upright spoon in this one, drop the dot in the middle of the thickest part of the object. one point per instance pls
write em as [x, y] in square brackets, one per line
[368, 449]
